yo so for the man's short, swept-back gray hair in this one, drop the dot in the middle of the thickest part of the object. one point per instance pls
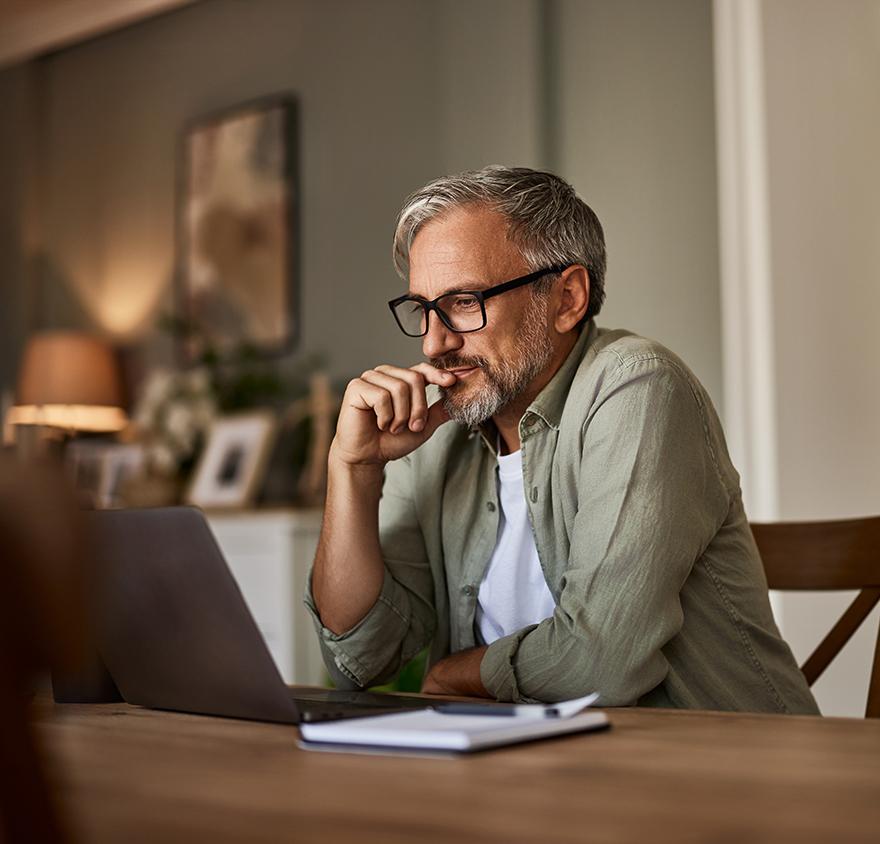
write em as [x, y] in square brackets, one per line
[547, 221]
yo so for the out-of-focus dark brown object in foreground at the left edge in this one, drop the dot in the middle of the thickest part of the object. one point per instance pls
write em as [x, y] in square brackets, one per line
[42, 624]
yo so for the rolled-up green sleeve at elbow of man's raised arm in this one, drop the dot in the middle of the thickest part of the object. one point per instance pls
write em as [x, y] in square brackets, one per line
[402, 620]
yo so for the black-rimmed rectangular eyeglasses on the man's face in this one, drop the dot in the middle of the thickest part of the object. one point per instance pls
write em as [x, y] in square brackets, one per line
[461, 311]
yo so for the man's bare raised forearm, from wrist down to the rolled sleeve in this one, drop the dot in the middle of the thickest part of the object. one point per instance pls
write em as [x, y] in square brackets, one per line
[348, 571]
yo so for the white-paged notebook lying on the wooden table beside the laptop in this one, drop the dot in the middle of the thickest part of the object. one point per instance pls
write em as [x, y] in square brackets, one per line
[446, 729]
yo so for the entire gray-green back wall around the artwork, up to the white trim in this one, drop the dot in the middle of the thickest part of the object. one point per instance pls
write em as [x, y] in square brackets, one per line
[615, 96]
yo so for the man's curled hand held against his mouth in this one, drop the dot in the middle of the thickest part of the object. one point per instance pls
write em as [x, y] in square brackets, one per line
[385, 414]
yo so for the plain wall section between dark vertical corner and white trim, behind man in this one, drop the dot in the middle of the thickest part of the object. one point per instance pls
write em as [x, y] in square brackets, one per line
[637, 139]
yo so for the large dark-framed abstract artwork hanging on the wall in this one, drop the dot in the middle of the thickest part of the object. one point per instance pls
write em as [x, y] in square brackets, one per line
[238, 243]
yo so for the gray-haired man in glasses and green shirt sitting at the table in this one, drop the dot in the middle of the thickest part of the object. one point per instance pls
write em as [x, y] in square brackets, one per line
[578, 525]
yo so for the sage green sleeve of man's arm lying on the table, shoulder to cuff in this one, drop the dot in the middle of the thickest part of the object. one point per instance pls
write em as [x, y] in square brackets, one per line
[650, 497]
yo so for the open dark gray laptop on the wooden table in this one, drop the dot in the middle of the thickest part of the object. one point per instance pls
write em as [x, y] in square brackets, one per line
[174, 632]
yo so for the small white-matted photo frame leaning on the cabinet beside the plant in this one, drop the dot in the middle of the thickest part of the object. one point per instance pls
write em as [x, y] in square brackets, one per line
[233, 462]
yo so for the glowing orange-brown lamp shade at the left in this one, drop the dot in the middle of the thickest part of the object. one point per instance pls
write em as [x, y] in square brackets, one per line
[69, 380]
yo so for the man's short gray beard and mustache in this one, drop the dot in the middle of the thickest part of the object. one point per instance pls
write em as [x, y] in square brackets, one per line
[505, 381]
